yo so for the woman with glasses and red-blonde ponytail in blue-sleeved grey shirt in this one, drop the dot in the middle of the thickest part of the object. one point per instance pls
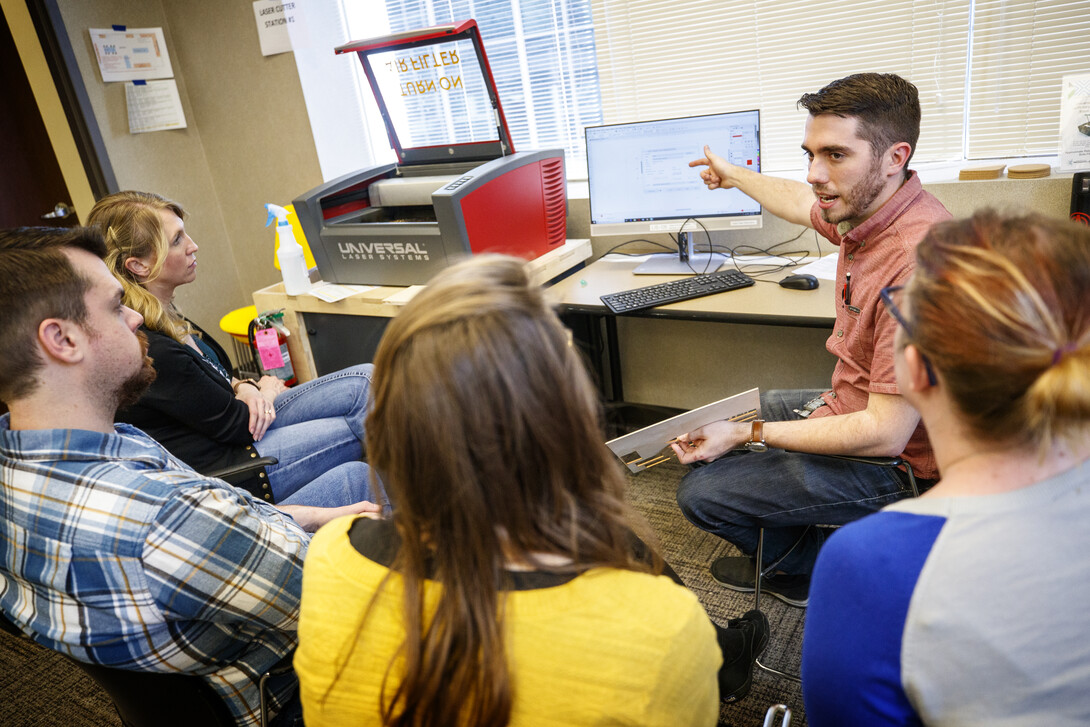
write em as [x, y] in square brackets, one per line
[968, 605]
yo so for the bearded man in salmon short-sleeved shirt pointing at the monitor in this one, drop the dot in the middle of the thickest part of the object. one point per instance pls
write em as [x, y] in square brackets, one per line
[862, 197]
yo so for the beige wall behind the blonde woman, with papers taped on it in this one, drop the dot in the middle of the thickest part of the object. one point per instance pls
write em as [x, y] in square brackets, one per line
[248, 139]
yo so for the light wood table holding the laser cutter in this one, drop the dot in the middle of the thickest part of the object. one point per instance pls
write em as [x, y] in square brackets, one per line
[356, 324]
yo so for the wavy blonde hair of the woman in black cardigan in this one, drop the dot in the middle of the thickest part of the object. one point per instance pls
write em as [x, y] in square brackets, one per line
[132, 227]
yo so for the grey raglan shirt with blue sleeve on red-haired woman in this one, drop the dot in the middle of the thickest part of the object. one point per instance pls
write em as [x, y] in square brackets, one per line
[955, 612]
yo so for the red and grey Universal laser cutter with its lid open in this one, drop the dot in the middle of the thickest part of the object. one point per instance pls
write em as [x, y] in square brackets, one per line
[458, 187]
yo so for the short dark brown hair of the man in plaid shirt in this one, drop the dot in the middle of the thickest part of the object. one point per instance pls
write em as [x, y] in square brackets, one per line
[38, 282]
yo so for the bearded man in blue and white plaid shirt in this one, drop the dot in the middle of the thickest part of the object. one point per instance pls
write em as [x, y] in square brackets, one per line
[112, 551]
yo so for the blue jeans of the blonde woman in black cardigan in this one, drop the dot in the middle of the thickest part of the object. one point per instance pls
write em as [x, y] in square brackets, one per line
[318, 437]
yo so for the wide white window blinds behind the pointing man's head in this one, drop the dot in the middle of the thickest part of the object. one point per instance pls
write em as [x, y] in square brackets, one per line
[989, 71]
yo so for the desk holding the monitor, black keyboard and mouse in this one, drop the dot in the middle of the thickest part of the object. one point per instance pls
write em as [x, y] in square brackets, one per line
[764, 305]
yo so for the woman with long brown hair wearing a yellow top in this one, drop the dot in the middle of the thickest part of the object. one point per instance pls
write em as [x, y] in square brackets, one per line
[506, 588]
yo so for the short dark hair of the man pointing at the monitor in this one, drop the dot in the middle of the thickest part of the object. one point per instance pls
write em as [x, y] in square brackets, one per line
[888, 108]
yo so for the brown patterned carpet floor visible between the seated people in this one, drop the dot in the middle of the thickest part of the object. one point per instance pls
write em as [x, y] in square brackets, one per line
[39, 688]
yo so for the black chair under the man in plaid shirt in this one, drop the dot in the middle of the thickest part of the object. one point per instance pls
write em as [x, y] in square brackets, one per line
[152, 699]
